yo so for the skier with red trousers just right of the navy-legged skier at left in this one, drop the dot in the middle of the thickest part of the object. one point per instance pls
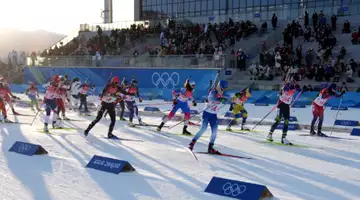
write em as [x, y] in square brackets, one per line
[61, 97]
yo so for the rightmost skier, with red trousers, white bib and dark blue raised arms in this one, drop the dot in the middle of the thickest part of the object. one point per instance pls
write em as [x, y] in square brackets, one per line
[318, 107]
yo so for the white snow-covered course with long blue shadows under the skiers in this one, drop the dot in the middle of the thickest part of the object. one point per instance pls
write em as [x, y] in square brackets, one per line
[166, 170]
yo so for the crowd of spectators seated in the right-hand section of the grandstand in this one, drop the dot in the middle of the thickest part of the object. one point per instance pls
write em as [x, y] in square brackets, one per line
[321, 64]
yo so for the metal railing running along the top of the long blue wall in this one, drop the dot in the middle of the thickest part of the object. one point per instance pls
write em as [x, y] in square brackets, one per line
[169, 61]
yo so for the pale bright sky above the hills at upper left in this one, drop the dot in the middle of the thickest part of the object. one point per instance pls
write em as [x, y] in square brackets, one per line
[59, 16]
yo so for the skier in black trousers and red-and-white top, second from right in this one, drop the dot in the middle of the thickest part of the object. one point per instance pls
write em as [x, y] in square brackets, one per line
[286, 95]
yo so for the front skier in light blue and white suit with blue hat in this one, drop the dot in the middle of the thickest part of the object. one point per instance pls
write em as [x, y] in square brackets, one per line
[215, 98]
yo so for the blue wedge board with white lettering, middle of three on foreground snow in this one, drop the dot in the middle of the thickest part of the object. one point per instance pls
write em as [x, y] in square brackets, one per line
[109, 165]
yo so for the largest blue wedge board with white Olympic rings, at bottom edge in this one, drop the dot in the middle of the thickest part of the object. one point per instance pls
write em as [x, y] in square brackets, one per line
[237, 189]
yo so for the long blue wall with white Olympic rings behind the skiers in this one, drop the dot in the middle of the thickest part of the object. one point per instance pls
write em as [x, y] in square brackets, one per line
[152, 82]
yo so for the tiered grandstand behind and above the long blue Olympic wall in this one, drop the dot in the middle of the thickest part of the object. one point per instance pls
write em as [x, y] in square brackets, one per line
[201, 42]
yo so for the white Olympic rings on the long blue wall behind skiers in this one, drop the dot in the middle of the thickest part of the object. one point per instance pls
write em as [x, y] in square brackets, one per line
[165, 79]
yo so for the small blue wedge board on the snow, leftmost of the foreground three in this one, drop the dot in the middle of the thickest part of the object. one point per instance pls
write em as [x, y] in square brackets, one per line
[27, 148]
